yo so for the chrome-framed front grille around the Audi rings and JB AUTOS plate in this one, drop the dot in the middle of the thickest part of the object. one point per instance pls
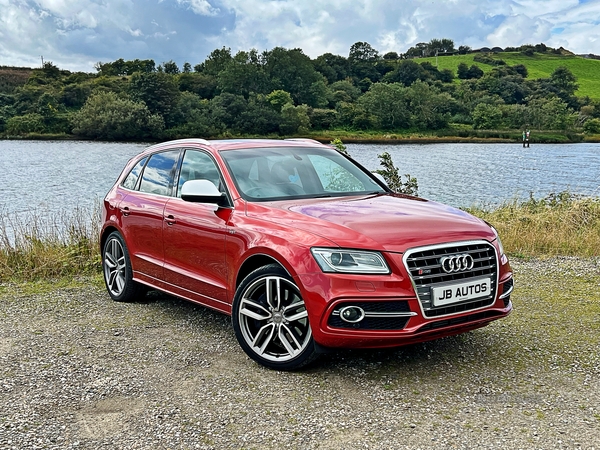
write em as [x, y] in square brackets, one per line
[425, 269]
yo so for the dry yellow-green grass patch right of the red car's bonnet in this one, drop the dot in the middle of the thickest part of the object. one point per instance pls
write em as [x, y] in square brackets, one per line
[560, 224]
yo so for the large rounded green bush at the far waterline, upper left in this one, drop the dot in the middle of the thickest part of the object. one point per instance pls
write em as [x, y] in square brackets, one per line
[106, 116]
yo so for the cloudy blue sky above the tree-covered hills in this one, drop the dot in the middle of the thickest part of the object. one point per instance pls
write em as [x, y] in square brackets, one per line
[76, 34]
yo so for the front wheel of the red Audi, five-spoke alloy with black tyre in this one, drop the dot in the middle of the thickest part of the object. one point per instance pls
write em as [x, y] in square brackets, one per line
[270, 320]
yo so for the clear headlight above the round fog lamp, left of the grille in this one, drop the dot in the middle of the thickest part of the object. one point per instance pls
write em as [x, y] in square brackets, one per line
[349, 261]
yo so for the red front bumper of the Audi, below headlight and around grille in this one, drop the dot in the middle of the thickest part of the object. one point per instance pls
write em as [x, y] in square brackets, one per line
[393, 314]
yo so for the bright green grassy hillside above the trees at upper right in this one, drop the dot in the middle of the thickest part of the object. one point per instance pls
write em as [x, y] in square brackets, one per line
[539, 65]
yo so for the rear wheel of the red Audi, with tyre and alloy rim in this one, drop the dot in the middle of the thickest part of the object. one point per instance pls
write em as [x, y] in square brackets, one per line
[118, 275]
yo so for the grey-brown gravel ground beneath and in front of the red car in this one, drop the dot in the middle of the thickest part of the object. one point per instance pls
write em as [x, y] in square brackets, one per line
[78, 371]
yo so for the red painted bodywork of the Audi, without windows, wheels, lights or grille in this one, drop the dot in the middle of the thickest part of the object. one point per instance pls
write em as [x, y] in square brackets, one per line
[198, 251]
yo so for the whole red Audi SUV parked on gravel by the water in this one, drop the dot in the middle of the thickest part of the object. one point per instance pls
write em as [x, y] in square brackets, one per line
[302, 246]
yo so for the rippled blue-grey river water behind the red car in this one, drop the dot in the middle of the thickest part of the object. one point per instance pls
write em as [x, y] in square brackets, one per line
[58, 176]
